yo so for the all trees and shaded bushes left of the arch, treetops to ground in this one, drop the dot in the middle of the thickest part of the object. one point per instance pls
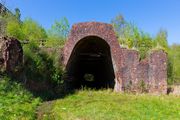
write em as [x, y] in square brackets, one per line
[42, 67]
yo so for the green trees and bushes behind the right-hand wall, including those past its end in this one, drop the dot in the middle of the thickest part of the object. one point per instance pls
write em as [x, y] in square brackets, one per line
[130, 36]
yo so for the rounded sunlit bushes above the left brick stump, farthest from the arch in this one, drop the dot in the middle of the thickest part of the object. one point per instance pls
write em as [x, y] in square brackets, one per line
[26, 30]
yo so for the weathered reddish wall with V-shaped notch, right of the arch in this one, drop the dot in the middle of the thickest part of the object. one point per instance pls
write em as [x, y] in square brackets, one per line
[148, 75]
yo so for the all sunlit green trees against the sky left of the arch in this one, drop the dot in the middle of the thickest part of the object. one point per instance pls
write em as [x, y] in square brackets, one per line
[32, 31]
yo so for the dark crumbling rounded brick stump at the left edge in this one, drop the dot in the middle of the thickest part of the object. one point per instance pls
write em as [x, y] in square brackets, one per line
[11, 55]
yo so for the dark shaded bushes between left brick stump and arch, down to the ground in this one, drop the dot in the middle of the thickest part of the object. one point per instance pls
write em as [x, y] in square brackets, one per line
[43, 70]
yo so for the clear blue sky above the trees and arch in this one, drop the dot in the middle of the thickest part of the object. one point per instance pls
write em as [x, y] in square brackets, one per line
[149, 15]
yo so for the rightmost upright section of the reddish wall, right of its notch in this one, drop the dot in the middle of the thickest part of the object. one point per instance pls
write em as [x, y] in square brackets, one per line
[158, 72]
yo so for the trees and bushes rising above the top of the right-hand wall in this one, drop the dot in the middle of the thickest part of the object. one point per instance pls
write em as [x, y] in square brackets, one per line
[130, 36]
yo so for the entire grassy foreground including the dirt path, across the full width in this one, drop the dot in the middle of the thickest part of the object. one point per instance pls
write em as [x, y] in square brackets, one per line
[16, 103]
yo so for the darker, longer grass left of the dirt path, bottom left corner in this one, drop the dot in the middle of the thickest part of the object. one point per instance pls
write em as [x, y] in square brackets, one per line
[16, 103]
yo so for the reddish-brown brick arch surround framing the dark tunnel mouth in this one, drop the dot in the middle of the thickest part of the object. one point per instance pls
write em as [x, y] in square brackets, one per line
[100, 30]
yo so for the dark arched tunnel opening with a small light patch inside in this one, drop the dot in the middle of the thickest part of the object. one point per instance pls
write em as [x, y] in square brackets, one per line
[90, 64]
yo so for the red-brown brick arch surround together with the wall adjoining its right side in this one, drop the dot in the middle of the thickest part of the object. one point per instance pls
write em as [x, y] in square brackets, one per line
[148, 75]
